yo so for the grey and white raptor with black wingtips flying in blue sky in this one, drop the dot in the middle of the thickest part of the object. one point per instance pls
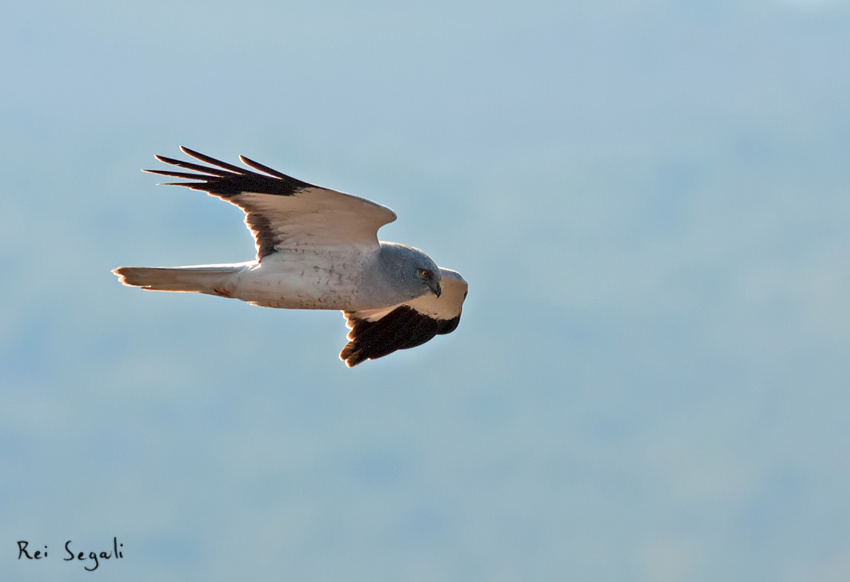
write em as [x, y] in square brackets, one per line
[316, 248]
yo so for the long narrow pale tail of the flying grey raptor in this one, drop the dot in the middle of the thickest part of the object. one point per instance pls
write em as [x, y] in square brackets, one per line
[210, 279]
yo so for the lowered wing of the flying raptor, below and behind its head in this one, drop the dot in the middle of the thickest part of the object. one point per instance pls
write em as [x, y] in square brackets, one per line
[376, 333]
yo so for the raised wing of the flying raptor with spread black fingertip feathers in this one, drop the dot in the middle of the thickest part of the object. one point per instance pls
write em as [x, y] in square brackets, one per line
[283, 213]
